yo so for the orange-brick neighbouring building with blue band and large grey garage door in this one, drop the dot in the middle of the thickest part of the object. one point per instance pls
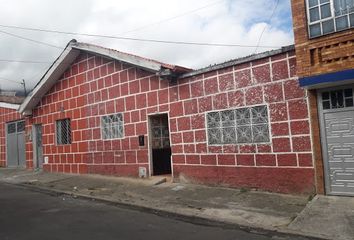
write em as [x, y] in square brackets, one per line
[324, 41]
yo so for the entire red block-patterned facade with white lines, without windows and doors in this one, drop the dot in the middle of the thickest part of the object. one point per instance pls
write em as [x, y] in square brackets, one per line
[93, 87]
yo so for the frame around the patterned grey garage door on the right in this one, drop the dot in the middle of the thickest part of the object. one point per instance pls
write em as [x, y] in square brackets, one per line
[321, 112]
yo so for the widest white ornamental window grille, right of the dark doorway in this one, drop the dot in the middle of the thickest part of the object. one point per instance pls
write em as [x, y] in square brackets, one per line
[238, 126]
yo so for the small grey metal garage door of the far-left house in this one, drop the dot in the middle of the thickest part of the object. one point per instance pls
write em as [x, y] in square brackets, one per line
[15, 144]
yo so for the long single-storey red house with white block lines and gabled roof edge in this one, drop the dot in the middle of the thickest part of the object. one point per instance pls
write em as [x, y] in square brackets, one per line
[243, 123]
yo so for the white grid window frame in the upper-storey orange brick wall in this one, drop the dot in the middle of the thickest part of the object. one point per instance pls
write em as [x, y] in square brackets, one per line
[331, 2]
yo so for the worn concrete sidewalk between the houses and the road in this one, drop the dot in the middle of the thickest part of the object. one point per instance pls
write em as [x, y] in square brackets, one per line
[250, 209]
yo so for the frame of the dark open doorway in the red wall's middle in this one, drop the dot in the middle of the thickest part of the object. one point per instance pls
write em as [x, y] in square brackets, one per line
[151, 162]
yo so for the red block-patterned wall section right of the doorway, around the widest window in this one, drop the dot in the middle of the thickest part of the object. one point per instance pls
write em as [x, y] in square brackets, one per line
[284, 165]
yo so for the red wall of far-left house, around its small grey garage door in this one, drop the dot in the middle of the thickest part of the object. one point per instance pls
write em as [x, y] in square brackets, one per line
[6, 115]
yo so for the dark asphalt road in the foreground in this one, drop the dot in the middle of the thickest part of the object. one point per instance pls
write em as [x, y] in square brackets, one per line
[26, 214]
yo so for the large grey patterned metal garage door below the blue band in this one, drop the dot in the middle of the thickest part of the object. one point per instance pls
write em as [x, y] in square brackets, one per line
[337, 129]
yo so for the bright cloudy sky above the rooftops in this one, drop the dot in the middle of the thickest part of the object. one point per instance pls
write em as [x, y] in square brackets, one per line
[235, 22]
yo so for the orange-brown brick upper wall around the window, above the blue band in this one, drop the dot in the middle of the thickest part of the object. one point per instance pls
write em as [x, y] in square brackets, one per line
[329, 53]
